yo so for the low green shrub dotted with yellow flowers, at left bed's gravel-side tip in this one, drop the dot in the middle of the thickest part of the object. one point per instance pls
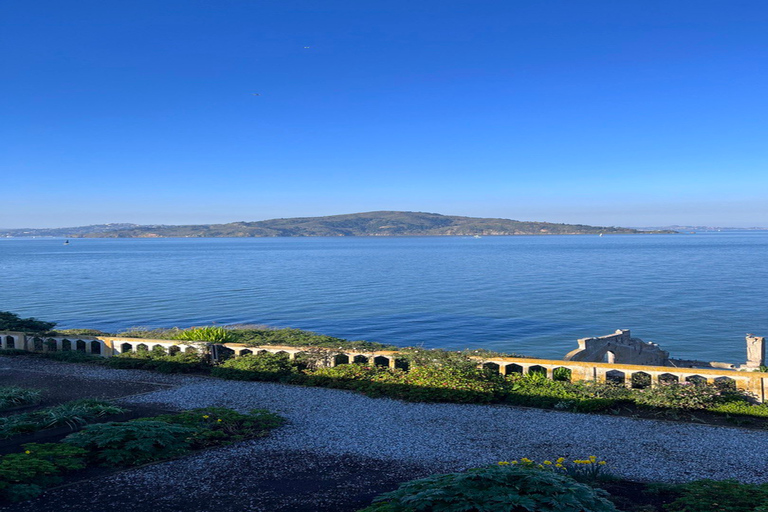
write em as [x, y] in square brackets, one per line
[217, 425]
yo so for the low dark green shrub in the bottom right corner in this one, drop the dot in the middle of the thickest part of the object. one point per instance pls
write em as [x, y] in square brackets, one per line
[722, 496]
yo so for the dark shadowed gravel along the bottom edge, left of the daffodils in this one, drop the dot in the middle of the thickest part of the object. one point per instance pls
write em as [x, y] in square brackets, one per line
[276, 481]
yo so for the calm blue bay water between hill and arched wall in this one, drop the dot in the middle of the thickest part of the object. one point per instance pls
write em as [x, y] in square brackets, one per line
[695, 295]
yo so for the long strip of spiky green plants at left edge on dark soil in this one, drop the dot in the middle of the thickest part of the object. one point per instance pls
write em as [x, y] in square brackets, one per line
[72, 414]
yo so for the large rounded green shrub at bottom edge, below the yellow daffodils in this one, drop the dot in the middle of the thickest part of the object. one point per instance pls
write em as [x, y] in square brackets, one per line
[492, 489]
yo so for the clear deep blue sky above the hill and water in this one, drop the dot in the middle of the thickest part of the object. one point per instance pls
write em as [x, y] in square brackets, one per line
[605, 112]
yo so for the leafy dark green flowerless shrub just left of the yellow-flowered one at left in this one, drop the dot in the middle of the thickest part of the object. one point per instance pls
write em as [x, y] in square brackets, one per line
[132, 443]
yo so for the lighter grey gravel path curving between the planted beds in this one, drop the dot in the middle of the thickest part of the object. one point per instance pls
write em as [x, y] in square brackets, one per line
[425, 438]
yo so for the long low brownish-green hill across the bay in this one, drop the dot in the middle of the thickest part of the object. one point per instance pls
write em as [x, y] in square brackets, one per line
[383, 223]
